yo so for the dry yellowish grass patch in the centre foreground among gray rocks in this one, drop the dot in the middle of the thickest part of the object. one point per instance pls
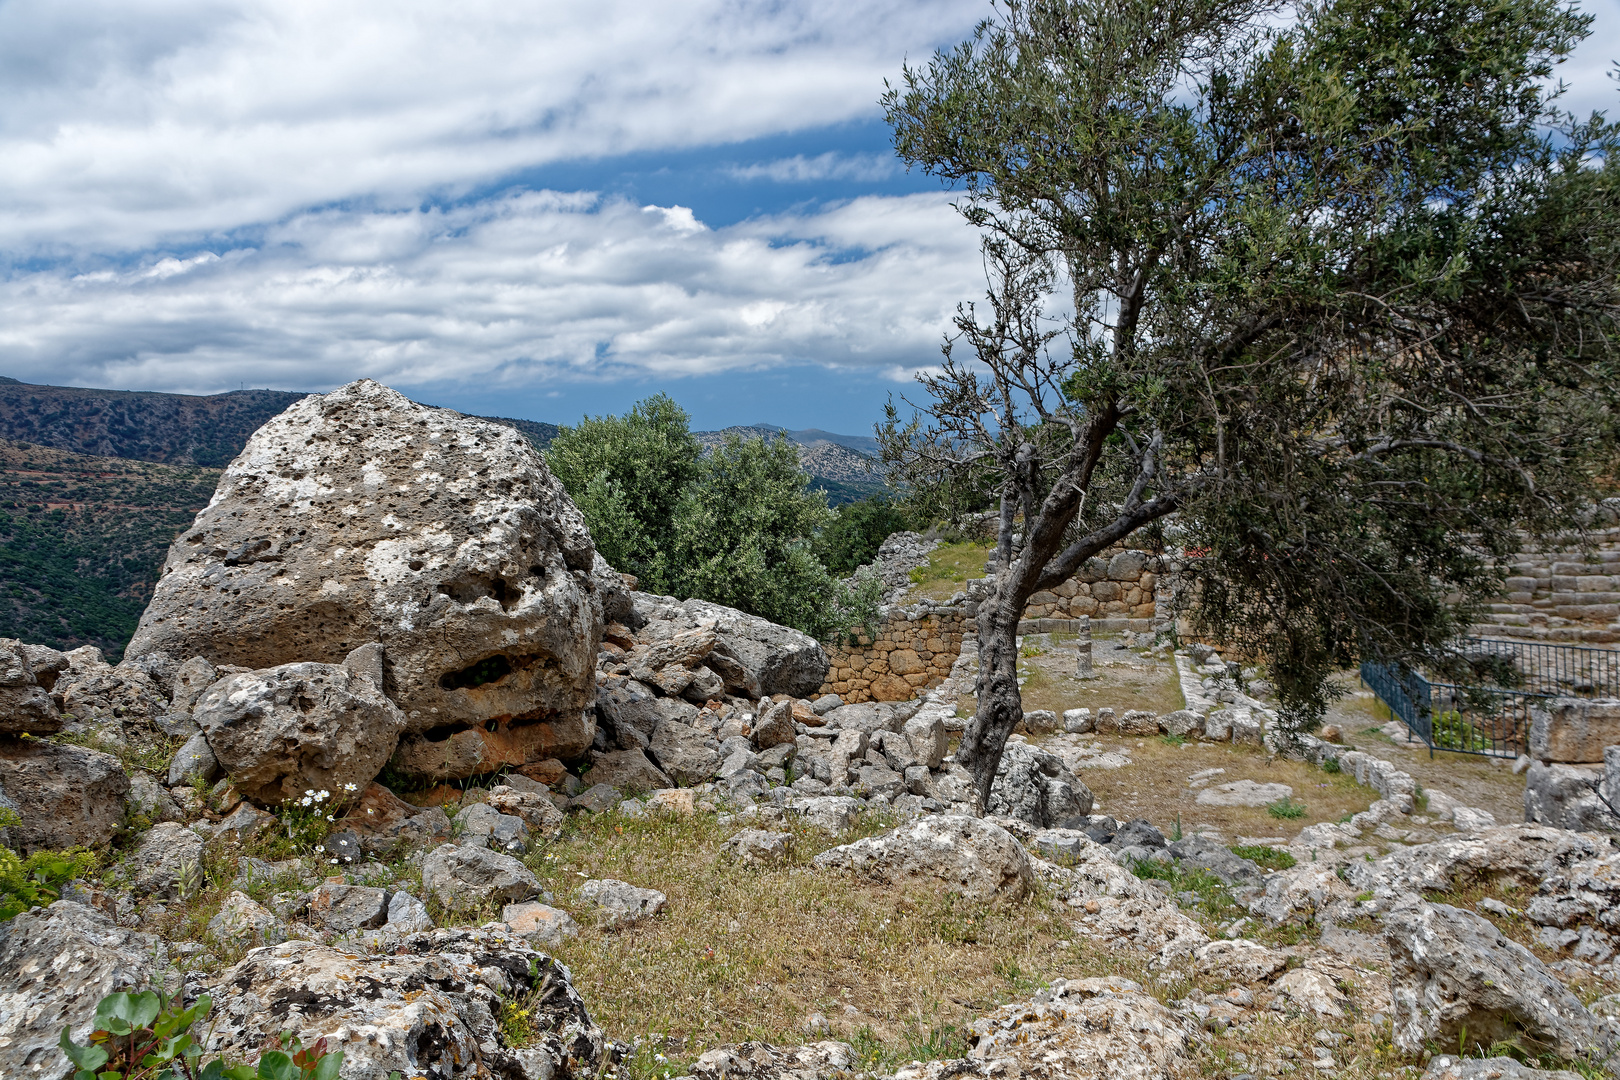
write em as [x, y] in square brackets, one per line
[752, 953]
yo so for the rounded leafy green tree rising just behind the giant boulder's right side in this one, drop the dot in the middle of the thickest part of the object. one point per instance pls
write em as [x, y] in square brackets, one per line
[626, 475]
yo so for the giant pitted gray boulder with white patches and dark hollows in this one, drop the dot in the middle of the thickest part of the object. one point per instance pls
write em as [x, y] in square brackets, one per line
[360, 517]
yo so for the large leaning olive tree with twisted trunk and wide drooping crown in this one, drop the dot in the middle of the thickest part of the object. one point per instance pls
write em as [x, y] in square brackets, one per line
[1332, 283]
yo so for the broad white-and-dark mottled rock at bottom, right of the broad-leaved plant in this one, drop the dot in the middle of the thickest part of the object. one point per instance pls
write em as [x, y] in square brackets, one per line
[433, 1010]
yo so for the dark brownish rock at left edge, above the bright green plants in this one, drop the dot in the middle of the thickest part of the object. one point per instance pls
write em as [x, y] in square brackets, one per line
[66, 796]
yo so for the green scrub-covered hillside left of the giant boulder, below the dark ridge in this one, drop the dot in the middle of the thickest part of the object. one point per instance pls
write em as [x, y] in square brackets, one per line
[83, 540]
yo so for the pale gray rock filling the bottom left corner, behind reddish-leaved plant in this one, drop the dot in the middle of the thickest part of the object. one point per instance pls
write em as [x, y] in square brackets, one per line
[59, 963]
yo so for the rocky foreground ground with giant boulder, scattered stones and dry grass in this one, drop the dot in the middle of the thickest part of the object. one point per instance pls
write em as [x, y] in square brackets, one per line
[362, 830]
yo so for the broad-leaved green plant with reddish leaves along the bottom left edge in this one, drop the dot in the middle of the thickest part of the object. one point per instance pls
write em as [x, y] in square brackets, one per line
[148, 1037]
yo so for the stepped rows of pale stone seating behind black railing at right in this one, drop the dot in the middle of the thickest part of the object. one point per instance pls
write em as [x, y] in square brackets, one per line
[1561, 597]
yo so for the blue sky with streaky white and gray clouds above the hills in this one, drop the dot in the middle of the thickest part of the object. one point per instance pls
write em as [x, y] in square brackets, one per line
[521, 208]
